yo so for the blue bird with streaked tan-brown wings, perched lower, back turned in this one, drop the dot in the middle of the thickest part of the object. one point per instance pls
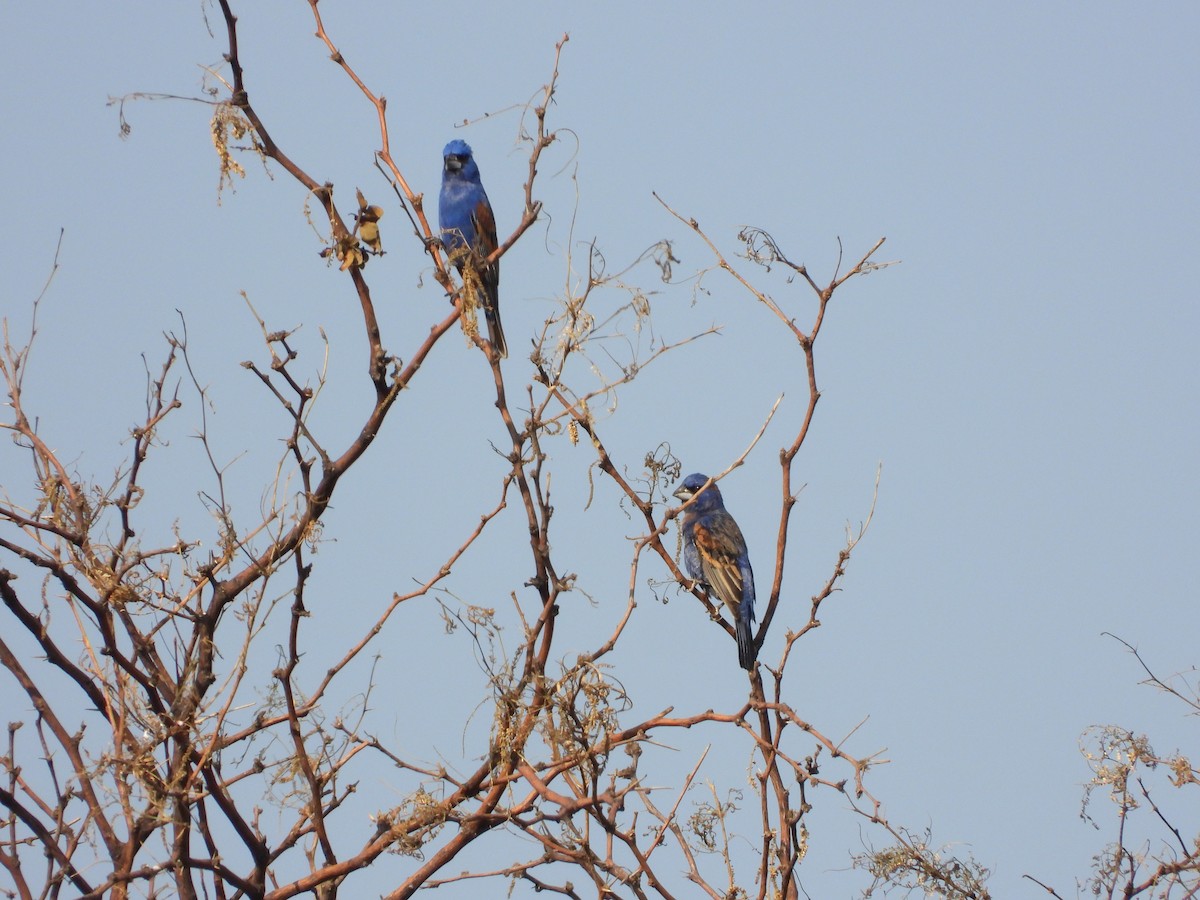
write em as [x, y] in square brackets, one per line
[717, 557]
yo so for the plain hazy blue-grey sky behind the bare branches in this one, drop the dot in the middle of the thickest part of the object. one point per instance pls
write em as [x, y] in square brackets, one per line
[1028, 376]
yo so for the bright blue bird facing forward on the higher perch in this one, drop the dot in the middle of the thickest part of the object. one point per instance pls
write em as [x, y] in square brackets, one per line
[466, 220]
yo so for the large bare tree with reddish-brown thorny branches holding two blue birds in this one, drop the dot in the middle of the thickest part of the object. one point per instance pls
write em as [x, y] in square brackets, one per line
[161, 757]
